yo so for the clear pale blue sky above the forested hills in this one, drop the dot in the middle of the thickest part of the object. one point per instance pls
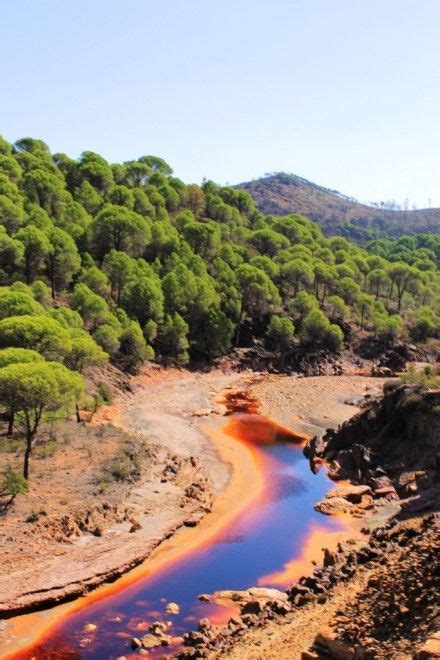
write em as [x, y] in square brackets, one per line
[343, 92]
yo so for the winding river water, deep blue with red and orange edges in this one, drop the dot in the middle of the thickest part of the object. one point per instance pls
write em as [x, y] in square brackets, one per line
[262, 546]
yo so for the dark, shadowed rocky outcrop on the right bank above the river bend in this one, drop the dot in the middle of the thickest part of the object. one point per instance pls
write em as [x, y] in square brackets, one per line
[393, 447]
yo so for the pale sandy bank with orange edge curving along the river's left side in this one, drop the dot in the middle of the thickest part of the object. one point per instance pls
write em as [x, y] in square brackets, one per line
[181, 410]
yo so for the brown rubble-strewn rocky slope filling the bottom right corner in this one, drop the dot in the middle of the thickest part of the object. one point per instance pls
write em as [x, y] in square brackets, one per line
[396, 614]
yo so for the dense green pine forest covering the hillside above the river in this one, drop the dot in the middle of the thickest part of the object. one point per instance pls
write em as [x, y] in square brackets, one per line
[127, 263]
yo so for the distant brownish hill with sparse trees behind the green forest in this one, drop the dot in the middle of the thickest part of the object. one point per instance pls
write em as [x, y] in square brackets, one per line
[281, 194]
